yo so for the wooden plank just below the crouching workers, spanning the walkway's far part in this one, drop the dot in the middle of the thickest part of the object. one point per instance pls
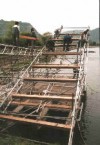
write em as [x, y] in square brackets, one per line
[62, 53]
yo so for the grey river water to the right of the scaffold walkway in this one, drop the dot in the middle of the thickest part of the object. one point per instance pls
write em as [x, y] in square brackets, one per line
[89, 129]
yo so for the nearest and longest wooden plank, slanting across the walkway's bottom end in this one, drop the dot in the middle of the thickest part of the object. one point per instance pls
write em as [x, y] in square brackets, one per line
[37, 122]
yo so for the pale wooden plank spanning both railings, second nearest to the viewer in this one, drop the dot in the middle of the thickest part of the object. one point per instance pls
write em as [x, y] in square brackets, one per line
[41, 97]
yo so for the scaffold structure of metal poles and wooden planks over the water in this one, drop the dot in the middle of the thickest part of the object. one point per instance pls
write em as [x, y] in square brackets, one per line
[42, 88]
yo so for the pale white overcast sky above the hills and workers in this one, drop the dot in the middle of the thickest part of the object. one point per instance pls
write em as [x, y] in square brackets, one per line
[47, 15]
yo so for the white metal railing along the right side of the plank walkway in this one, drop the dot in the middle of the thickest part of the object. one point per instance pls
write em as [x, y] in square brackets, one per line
[79, 90]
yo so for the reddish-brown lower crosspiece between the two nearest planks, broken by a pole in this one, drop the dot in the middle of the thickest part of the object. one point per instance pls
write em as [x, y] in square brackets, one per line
[51, 106]
